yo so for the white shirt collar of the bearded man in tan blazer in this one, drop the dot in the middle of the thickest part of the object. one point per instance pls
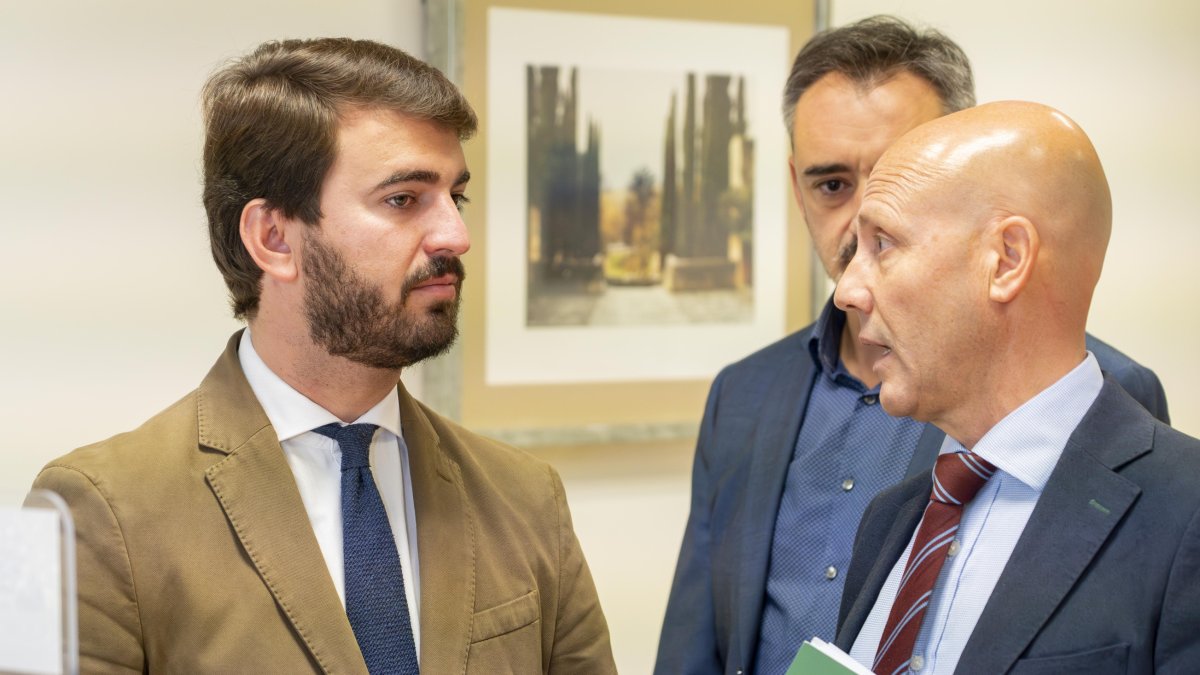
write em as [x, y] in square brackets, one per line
[291, 413]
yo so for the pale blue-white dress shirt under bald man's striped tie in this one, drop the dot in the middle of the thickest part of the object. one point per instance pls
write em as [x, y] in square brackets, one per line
[1025, 447]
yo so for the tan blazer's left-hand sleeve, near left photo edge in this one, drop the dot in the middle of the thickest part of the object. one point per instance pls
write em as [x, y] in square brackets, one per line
[110, 626]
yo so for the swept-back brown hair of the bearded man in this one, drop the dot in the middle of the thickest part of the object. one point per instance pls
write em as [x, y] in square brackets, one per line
[272, 122]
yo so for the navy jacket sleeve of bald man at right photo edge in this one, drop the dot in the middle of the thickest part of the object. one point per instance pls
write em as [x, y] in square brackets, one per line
[1178, 647]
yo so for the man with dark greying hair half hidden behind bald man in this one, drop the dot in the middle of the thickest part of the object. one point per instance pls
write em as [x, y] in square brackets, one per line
[794, 444]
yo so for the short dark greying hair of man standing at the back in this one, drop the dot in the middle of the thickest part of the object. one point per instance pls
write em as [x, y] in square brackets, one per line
[872, 51]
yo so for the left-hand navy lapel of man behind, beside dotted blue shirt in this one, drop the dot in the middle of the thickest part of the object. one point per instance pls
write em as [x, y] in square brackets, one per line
[785, 403]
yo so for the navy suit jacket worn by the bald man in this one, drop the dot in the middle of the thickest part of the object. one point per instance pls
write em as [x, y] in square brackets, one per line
[1106, 578]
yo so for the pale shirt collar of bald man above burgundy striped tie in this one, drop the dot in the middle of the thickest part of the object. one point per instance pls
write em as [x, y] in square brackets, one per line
[1029, 441]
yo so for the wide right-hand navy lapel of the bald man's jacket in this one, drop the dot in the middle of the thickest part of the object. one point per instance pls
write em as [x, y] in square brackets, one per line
[1082, 505]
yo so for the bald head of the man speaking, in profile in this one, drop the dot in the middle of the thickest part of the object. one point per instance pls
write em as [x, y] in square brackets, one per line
[981, 240]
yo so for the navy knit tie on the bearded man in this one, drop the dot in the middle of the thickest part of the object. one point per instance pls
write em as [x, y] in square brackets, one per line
[375, 583]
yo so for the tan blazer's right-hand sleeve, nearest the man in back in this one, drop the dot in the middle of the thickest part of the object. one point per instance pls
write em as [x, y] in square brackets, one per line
[581, 634]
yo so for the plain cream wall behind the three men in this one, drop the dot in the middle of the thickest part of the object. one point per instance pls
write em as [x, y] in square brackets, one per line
[112, 308]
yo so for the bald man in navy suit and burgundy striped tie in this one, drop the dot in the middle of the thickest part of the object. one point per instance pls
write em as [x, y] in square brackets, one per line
[981, 240]
